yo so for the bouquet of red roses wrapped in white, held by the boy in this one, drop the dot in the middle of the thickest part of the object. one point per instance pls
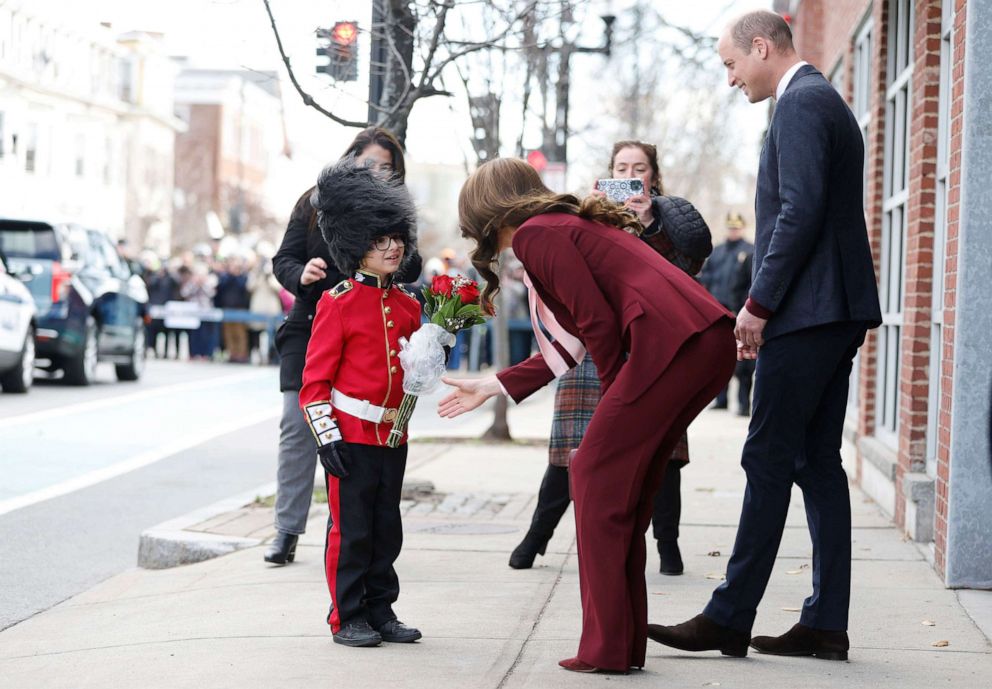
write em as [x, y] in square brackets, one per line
[451, 304]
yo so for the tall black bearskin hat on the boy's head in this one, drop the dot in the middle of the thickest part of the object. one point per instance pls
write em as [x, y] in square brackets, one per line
[356, 207]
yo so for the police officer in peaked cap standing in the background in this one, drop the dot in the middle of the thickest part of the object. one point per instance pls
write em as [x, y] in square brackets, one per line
[727, 271]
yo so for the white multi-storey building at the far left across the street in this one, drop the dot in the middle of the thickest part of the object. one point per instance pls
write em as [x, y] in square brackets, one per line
[87, 132]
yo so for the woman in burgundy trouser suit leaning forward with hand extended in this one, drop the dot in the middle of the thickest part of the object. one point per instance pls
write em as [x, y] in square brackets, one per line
[663, 348]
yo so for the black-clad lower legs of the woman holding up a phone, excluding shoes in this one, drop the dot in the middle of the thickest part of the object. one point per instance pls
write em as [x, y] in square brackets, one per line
[553, 499]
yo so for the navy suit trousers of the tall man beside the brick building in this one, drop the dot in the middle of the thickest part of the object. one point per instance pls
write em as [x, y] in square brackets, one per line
[800, 399]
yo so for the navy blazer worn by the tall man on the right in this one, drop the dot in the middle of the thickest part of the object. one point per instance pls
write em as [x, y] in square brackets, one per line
[812, 260]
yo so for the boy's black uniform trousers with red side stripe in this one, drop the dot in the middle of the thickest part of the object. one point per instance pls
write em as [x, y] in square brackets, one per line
[364, 536]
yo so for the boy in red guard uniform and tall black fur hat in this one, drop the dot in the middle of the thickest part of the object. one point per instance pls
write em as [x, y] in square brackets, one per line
[352, 385]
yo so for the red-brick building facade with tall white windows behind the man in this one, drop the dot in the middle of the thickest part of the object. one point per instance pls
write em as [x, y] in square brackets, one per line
[918, 429]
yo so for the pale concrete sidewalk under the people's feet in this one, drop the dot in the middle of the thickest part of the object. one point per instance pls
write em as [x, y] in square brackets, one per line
[235, 622]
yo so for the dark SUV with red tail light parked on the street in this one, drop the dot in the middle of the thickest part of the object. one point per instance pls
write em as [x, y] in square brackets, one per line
[91, 307]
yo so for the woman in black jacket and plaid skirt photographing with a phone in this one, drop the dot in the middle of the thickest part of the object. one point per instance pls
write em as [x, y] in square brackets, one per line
[578, 390]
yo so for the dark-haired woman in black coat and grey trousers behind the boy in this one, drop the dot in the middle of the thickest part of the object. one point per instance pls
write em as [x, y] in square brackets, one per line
[304, 267]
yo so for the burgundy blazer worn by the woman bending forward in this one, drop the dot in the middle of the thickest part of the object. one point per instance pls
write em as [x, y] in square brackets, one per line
[628, 305]
